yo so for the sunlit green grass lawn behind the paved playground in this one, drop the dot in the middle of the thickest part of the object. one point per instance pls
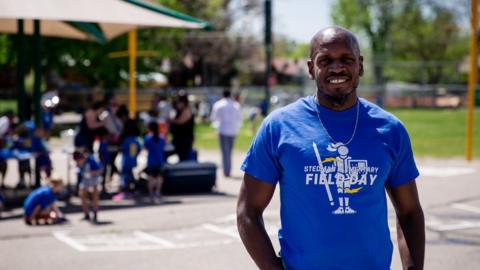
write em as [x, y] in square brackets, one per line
[434, 133]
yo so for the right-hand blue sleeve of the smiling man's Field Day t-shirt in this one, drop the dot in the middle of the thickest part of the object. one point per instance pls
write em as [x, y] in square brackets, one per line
[404, 168]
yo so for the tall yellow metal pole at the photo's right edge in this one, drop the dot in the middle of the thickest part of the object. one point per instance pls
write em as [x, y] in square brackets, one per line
[472, 78]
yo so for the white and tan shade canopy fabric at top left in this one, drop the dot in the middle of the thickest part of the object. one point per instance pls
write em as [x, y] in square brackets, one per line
[114, 17]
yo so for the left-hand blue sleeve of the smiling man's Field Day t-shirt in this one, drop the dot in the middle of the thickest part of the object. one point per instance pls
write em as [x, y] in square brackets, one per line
[261, 161]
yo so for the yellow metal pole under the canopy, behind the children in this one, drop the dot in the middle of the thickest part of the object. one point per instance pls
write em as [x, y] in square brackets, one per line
[132, 55]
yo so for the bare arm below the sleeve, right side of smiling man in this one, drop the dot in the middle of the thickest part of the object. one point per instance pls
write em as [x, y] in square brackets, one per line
[412, 223]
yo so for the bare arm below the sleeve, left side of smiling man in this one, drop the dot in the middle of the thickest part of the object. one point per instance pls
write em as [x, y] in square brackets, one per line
[254, 197]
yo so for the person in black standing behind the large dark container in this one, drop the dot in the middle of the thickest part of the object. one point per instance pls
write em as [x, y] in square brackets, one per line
[182, 127]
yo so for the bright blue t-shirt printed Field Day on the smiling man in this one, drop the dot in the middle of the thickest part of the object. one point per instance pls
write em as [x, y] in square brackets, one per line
[333, 202]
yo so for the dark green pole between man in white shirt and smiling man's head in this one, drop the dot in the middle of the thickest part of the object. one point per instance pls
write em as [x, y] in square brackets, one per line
[268, 50]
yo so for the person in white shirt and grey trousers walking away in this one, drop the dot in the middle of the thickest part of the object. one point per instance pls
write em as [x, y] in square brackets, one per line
[227, 118]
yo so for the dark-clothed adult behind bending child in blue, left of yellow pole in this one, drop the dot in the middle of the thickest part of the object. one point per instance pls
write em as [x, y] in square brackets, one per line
[88, 126]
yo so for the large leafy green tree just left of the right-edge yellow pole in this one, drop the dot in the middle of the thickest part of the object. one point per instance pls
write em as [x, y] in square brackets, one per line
[428, 39]
